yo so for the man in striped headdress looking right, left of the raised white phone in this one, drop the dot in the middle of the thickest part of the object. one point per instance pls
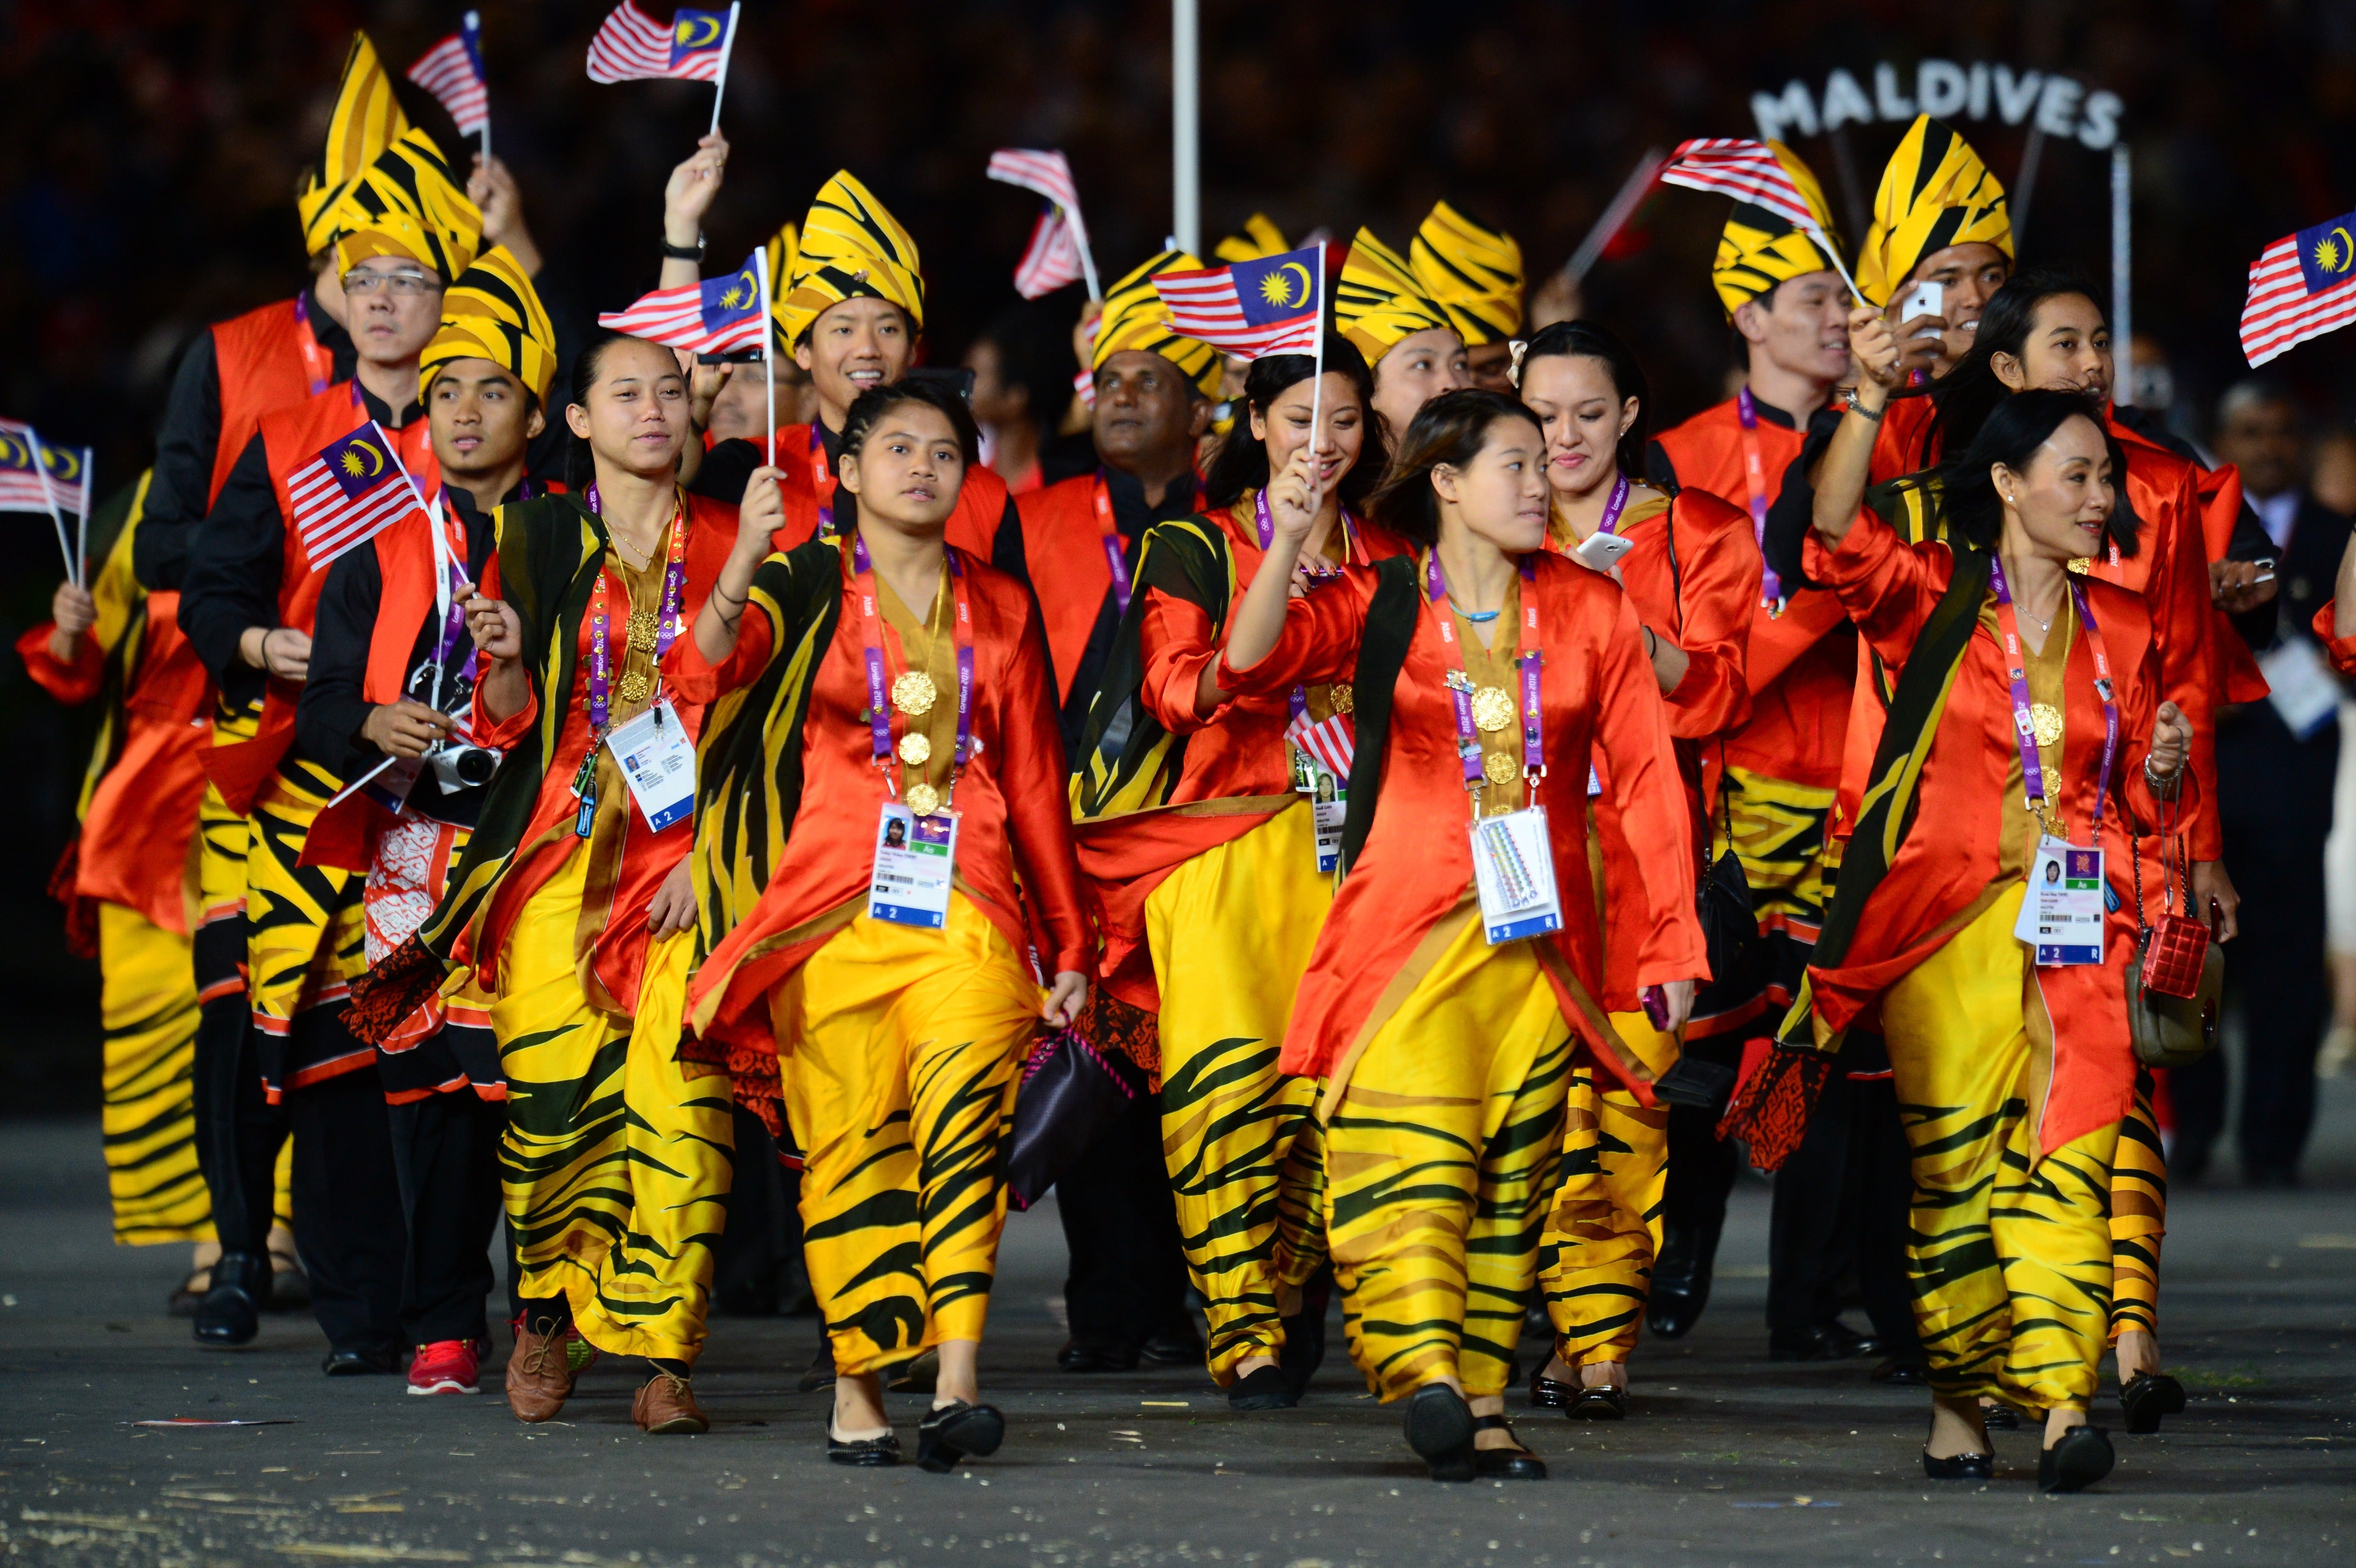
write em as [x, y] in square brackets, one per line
[1782, 771]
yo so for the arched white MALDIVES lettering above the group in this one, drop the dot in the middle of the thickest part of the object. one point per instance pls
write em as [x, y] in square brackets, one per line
[2053, 105]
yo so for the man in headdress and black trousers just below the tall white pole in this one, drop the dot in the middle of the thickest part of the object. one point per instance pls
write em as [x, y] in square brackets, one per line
[1083, 538]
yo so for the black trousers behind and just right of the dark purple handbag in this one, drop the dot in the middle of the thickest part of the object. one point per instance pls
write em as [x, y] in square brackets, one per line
[1120, 1223]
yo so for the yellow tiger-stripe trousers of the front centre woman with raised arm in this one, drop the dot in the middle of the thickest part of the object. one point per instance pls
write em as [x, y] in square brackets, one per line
[1441, 1148]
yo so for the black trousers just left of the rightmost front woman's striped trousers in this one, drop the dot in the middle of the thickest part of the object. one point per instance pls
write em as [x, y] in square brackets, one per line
[1841, 1207]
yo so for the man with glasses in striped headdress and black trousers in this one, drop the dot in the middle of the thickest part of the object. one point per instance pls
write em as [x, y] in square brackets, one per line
[402, 234]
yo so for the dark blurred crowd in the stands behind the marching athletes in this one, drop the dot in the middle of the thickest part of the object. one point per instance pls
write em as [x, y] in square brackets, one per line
[150, 152]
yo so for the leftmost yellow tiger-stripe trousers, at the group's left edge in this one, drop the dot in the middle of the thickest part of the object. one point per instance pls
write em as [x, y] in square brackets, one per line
[147, 1115]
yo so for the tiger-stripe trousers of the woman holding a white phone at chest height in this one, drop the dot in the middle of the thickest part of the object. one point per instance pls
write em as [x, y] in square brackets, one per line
[1603, 1230]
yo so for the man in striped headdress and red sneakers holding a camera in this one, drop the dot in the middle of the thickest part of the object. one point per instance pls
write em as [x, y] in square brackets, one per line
[385, 707]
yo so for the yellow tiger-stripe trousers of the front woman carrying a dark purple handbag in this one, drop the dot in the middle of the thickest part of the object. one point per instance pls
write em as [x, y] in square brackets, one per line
[901, 1049]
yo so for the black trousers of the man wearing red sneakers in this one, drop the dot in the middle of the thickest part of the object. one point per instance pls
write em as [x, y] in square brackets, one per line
[446, 1152]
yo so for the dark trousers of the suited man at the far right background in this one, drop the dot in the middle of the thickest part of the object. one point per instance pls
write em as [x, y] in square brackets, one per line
[2275, 802]
